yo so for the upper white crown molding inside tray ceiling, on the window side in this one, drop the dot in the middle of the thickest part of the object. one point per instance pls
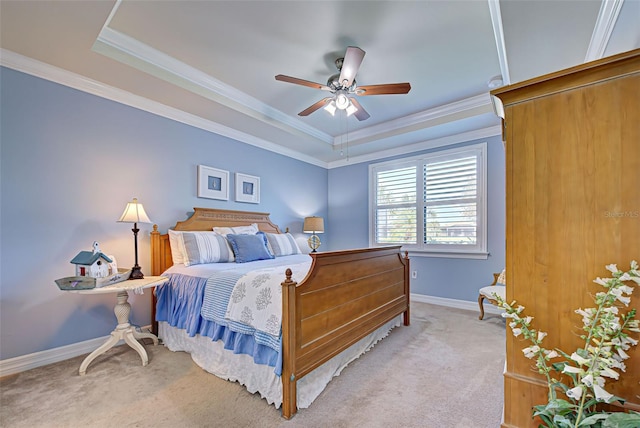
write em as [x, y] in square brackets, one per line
[416, 119]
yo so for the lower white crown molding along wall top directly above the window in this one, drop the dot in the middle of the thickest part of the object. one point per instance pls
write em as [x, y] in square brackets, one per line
[463, 137]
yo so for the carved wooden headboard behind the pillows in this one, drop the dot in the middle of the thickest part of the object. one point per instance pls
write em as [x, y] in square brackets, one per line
[203, 219]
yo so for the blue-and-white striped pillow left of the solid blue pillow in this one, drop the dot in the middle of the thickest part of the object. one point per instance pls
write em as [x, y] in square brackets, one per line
[206, 247]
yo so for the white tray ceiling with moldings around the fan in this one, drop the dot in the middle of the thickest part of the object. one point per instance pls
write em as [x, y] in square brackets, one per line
[212, 63]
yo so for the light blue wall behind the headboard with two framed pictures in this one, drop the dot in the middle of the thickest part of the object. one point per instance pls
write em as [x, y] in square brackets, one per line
[70, 162]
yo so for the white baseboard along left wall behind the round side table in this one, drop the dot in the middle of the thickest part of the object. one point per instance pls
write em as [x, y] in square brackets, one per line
[37, 359]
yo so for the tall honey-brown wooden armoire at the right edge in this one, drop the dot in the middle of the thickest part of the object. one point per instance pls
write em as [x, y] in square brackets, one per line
[572, 141]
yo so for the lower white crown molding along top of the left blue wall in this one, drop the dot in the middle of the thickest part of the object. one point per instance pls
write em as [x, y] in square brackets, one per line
[54, 74]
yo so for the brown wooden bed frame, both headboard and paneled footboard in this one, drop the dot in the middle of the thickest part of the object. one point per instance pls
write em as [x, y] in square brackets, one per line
[345, 296]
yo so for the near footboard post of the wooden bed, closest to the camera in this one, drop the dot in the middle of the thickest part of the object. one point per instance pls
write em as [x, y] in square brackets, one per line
[289, 391]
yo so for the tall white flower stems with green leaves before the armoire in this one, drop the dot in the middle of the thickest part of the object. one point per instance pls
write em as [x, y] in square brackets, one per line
[606, 341]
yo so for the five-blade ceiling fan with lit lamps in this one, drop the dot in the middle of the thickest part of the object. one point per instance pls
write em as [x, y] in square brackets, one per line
[343, 86]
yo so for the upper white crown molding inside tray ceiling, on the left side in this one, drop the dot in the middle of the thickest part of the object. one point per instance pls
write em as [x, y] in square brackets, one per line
[137, 54]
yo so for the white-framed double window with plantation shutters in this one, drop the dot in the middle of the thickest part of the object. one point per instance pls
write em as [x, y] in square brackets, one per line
[433, 203]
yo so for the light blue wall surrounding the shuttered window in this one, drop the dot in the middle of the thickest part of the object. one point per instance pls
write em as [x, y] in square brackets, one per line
[440, 277]
